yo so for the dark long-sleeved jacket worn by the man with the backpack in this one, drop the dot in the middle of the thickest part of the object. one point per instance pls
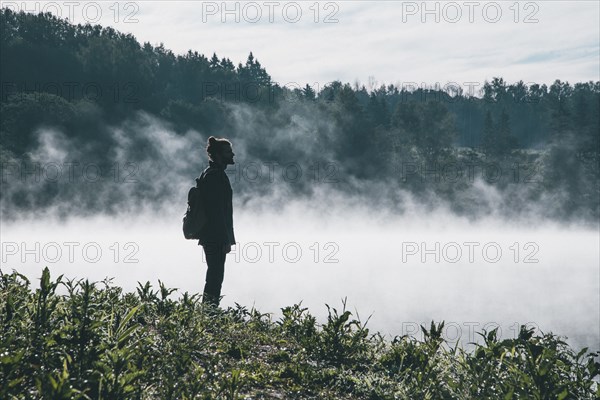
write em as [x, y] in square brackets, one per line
[218, 205]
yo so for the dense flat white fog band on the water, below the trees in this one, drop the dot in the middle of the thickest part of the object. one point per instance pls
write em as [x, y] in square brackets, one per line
[372, 258]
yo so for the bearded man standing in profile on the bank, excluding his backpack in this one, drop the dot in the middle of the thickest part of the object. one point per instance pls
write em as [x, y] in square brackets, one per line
[217, 236]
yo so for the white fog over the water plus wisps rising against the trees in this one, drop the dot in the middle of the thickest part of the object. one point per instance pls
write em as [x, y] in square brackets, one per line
[91, 212]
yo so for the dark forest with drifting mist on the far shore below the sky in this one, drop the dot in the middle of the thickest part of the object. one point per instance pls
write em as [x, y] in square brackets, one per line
[536, 145]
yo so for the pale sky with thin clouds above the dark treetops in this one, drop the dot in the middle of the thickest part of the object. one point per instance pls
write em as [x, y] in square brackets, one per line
[370, 42]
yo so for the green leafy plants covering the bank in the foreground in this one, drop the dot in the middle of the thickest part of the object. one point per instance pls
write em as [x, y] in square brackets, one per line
[97, 342]
